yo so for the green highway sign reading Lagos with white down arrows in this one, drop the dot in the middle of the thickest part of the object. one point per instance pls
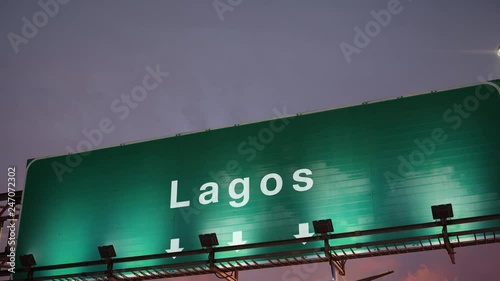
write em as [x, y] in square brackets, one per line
[368, 166]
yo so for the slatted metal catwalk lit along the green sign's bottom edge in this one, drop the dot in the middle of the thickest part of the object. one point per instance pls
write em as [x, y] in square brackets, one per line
[306, 256]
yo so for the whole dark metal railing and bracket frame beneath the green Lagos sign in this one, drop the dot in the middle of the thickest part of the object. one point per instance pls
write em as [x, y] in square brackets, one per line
[337, 255]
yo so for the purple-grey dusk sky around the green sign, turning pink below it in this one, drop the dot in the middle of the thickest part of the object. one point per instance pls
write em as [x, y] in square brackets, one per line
[232, 62]
